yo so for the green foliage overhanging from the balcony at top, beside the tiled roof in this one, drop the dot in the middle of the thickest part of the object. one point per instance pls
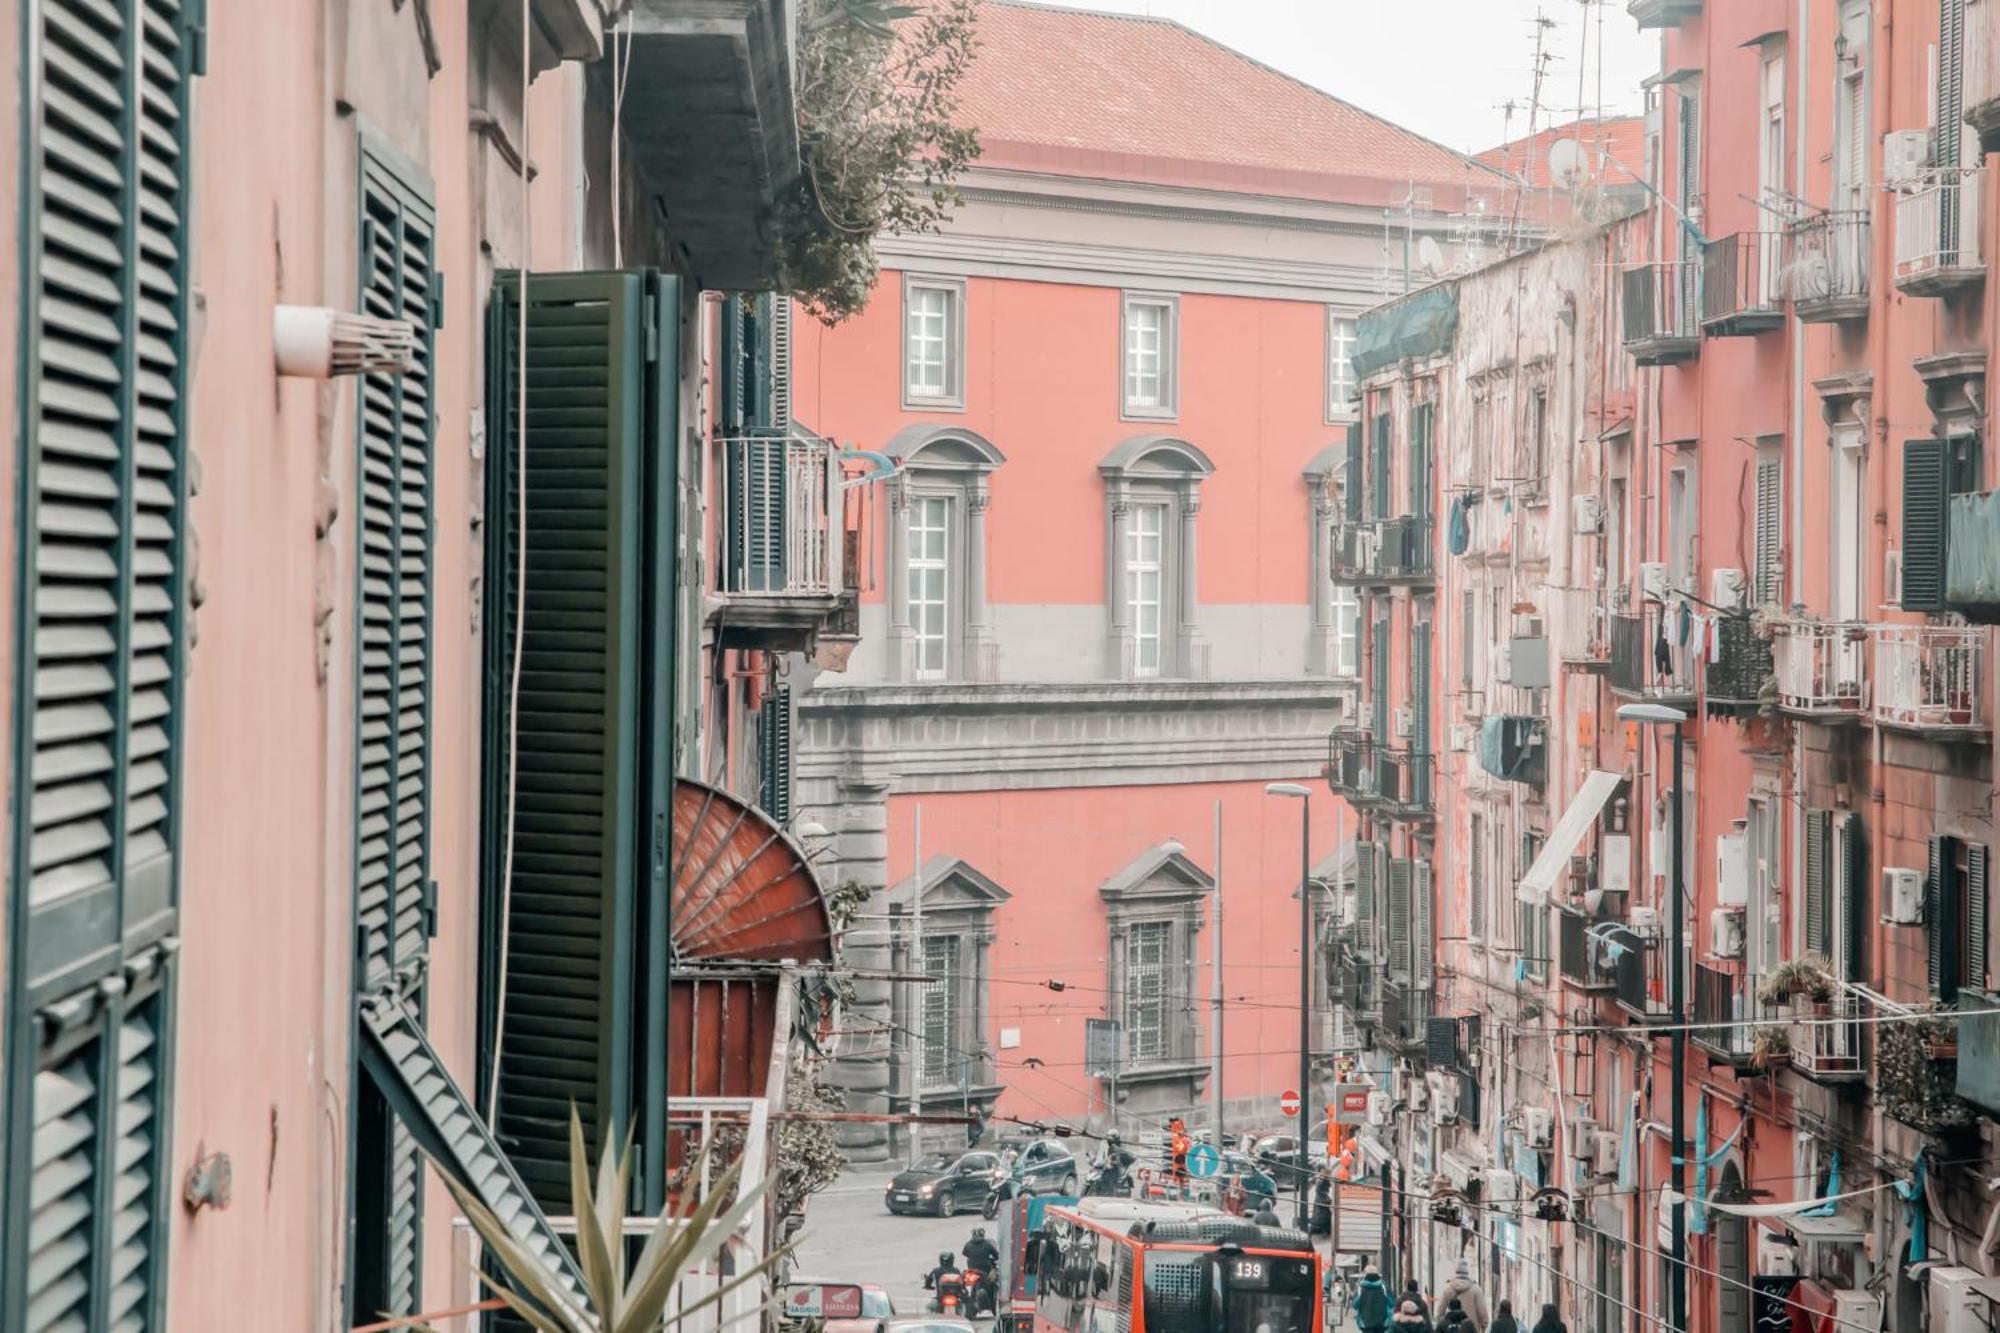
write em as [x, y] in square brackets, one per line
[877, 103]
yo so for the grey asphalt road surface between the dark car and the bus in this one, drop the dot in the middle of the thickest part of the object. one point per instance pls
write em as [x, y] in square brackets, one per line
[851, 1236]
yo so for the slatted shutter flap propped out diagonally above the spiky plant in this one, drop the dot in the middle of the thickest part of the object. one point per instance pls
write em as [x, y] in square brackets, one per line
[439, 1118]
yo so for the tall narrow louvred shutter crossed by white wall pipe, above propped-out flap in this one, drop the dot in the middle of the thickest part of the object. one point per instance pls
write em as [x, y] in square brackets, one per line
[395, 603]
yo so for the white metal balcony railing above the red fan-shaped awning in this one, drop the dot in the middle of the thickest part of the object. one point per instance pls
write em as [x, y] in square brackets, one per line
[781, 511]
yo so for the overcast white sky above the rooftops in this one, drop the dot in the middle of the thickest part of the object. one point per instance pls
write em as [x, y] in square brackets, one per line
[1439, 67]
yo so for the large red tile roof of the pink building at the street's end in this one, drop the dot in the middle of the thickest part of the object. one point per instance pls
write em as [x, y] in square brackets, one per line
[1123, 97]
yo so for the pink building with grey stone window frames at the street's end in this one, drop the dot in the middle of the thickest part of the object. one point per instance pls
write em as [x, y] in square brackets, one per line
[1097, 609]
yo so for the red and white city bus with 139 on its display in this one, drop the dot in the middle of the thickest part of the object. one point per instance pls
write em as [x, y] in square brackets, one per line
[1123, 1266]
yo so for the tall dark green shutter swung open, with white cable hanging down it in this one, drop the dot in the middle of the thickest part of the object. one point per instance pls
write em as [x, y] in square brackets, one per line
[585, 972]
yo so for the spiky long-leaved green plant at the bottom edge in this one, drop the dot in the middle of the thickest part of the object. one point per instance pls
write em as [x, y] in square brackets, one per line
[621, 1302]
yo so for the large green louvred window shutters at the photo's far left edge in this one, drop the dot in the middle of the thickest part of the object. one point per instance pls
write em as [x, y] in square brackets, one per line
[99, 661]
